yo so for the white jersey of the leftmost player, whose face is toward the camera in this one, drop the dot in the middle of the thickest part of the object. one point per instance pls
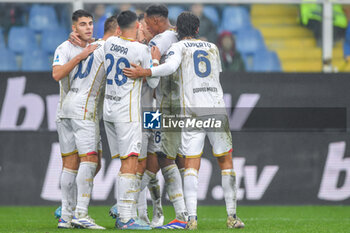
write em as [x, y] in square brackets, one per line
[63, 54]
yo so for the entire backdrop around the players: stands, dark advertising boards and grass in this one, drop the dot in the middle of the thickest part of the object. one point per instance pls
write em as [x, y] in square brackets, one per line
[286, 85]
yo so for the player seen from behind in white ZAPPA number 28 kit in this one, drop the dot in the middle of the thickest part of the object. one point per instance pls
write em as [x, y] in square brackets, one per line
[122, 112]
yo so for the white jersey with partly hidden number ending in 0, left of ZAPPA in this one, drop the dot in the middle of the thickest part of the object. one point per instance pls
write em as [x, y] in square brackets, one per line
[85, 97]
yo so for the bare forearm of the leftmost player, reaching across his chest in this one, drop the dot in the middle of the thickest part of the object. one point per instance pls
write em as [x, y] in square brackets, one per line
[61, 71]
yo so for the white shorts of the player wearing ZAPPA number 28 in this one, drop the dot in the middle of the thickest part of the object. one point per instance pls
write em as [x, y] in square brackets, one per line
[124, 138]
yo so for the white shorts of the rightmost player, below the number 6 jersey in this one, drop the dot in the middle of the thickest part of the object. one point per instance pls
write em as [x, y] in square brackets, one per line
[192, 141]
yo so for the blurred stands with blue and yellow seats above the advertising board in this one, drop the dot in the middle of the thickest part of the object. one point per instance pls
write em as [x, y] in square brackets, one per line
[269, 35]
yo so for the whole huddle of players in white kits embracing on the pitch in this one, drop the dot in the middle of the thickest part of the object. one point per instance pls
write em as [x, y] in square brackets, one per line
[115, 78]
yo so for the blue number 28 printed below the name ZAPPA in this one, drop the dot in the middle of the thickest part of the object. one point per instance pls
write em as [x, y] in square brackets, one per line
[119, 71]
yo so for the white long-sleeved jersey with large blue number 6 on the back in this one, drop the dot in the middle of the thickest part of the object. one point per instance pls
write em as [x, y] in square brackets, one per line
[198, 66]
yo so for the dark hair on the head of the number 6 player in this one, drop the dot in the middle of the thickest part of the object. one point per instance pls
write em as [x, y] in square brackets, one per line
[187, 25]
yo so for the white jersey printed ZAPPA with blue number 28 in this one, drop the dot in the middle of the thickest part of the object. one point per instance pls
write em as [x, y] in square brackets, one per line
[122, 99]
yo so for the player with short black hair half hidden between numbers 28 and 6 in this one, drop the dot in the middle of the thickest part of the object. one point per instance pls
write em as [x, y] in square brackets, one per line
[167, 99]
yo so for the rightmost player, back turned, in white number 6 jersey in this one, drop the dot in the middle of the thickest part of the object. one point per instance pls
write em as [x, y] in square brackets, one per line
[198, 65]
